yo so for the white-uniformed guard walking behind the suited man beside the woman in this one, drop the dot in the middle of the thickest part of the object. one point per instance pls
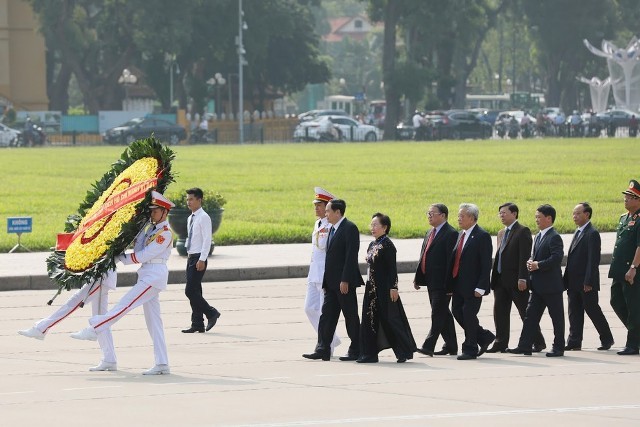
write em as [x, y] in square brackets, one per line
[315, 294]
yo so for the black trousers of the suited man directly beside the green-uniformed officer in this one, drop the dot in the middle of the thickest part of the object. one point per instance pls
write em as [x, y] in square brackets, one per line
[579, 303]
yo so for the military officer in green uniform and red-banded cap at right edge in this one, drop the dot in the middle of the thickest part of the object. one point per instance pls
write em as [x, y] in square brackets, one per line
[625, 288]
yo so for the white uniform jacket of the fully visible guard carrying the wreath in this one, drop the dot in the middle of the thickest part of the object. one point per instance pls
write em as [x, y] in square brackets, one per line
[152, 249]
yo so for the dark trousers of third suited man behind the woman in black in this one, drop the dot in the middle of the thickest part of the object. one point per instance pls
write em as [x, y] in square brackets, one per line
[503, 296]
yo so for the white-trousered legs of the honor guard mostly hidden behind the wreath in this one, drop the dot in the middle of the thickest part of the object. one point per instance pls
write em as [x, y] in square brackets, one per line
[97, 293]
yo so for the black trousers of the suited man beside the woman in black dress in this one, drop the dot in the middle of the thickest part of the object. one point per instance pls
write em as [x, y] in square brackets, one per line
[334, 303]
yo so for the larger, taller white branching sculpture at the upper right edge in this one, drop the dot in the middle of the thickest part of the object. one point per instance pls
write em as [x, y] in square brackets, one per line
[625, 76]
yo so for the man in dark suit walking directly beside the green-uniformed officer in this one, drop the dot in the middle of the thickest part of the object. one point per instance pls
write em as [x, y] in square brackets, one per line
[582, 281]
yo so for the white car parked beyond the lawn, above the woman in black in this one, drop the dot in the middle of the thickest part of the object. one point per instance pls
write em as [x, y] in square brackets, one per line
[348, 129]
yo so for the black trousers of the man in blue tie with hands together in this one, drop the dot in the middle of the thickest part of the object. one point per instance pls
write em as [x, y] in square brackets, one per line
[554, 302]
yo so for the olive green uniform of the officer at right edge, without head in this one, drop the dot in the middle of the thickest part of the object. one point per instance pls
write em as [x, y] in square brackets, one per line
[625, 297]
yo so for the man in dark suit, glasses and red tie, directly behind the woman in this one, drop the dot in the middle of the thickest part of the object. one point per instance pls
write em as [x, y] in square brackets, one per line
[436, 255]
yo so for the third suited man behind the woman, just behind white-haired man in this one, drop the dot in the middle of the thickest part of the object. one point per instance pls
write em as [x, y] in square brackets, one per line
[509, 277]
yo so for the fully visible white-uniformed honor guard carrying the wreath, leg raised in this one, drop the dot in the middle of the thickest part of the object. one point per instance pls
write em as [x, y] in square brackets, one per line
[152, 250]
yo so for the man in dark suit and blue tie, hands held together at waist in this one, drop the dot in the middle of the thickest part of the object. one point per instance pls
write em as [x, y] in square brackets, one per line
[545, 278]
